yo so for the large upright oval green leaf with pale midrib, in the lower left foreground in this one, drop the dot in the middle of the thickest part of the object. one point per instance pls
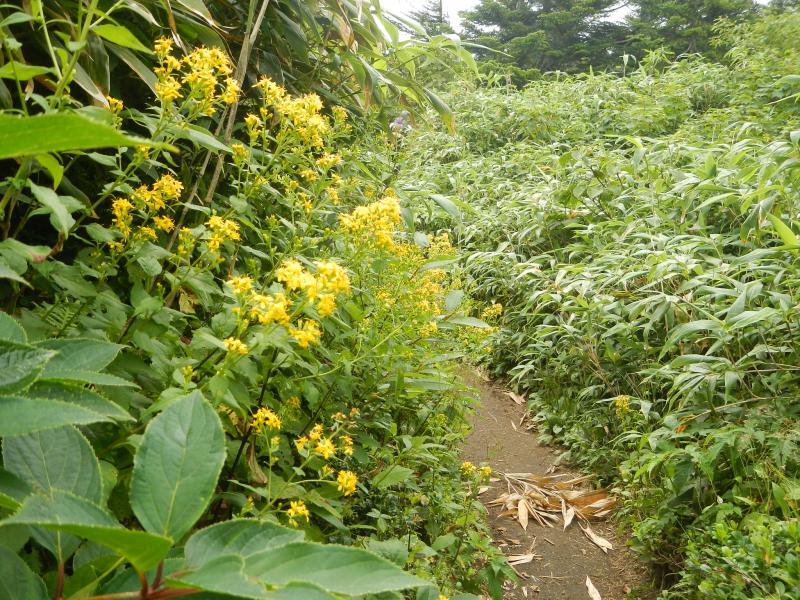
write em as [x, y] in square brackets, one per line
[176, 467]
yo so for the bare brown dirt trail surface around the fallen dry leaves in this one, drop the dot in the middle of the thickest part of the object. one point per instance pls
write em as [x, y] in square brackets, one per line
[567, 557]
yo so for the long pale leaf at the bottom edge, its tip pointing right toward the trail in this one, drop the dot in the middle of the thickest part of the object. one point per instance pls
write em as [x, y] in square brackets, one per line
[336, 569]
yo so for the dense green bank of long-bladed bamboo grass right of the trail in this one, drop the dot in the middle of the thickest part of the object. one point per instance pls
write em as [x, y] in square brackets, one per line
[640, 233]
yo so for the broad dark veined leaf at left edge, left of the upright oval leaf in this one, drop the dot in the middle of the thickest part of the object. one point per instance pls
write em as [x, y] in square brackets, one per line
[58, 459]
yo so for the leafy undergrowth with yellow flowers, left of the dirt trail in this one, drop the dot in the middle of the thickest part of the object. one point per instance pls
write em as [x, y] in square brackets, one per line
[223, 368]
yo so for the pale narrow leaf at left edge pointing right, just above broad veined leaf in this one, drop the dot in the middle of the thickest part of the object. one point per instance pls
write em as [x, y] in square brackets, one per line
[22, 415]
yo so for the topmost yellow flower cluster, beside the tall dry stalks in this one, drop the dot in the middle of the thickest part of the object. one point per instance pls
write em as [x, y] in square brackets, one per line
[206, 72]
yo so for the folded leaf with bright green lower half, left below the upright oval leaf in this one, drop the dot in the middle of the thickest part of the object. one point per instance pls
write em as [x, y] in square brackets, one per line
[68, 513]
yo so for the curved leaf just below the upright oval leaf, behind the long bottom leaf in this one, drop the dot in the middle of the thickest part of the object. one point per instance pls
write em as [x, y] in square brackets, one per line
[242, 537]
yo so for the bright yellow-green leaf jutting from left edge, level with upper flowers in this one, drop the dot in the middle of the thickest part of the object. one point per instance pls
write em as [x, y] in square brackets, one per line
[57, 132]
